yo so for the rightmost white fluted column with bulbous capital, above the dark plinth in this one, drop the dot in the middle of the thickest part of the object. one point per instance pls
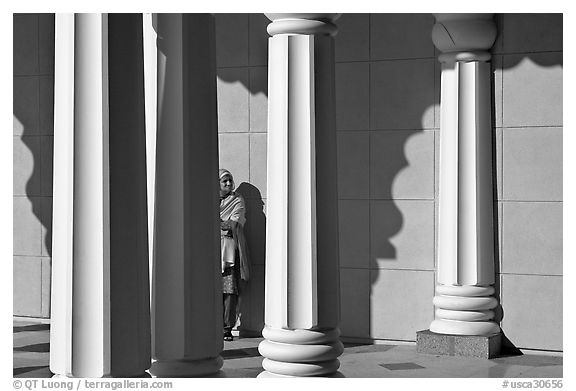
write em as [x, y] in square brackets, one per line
[465, 277]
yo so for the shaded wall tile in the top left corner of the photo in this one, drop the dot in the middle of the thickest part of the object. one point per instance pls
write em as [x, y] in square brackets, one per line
[25, 49]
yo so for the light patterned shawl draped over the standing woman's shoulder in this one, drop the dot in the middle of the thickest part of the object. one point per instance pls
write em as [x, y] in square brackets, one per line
[233, 208]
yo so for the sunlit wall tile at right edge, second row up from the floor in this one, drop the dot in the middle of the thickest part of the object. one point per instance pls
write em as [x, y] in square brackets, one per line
[532, 238]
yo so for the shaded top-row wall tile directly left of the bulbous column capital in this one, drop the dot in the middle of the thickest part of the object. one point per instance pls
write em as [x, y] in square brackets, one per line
[401, 36]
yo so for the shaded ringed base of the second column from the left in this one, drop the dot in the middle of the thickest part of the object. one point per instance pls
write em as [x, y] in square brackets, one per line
[186, 368]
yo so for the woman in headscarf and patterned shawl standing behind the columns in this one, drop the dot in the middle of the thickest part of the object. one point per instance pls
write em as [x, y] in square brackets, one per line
[234, 260]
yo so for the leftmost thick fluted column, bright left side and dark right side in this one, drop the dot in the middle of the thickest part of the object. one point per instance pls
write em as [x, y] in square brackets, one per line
[100, 323]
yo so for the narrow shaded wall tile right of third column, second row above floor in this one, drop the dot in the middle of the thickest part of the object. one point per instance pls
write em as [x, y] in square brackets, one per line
[354, 233]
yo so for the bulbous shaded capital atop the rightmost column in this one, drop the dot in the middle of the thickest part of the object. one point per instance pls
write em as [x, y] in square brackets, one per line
[464, 37]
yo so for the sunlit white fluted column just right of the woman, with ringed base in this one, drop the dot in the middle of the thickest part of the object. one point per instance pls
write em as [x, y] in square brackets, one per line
[302, 277]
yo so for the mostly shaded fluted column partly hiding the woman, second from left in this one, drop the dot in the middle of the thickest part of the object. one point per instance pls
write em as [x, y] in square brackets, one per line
[186, 286]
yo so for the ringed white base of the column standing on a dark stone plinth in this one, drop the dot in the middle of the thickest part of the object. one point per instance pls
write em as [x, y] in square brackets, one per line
[465, 310]
